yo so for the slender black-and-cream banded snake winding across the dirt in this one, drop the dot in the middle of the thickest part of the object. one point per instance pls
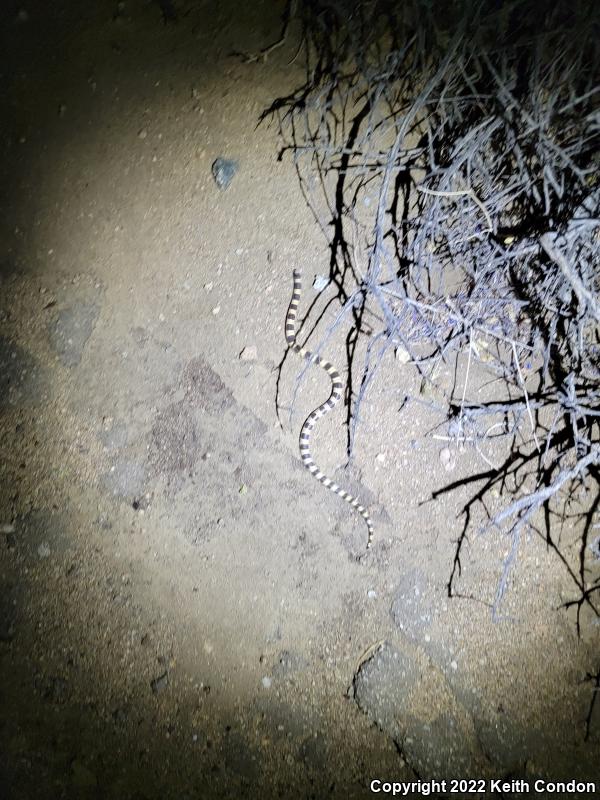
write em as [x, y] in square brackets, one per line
[337, 388]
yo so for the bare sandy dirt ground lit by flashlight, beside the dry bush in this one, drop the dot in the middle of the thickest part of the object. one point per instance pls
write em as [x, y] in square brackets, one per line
[185, 612]
